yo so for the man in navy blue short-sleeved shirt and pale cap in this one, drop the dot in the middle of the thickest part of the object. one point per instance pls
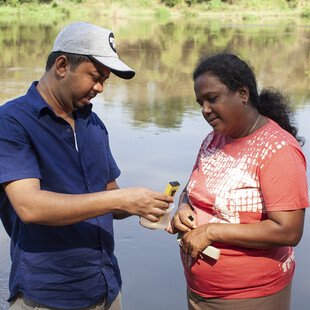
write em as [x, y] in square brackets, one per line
[59, 194]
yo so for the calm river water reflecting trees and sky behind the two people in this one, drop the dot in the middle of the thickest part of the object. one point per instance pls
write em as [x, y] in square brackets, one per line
[156, 128]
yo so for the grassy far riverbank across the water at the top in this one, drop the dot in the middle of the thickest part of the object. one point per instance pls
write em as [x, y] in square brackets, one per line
[126, 9]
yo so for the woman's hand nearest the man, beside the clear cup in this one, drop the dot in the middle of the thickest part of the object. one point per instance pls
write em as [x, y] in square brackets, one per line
[183, 220]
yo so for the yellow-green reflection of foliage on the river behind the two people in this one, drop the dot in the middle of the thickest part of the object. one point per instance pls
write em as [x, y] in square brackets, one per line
[164, 54]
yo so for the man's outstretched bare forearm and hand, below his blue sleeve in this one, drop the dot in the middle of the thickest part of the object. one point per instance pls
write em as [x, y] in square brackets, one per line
[34, 205]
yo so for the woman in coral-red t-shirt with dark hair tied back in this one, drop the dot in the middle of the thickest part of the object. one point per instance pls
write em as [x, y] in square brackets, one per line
[246, 195]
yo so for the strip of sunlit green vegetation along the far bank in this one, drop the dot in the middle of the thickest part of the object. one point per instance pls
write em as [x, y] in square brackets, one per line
[121, 9]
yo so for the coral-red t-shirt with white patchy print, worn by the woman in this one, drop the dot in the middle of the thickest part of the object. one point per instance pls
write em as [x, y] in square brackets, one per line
[237, 182]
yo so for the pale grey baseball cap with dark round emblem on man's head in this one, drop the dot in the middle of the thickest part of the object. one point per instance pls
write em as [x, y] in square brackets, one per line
[87, 39]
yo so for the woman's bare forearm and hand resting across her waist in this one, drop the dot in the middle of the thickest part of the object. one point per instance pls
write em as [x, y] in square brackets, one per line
[282, 228]
